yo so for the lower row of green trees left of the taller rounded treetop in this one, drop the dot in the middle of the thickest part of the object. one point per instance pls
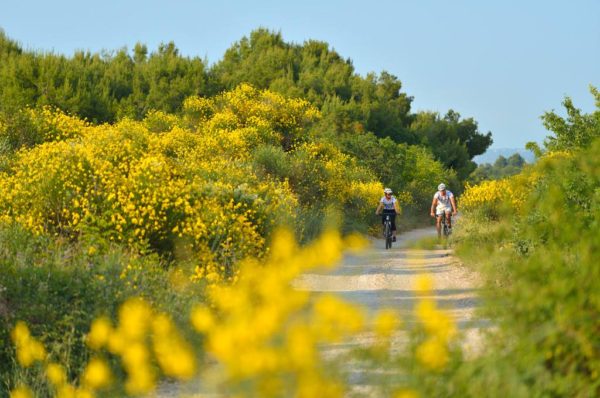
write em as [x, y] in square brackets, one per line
[99, 87]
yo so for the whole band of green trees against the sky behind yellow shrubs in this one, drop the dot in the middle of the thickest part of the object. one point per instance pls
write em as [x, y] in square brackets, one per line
[113, 85]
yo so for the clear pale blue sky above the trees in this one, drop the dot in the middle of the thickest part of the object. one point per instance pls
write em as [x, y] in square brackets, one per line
[504, 63]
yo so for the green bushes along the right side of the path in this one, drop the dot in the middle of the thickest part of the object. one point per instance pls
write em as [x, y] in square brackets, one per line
[540, 265]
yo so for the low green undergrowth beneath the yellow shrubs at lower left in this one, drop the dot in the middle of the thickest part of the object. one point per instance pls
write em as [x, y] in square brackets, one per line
[58, 288]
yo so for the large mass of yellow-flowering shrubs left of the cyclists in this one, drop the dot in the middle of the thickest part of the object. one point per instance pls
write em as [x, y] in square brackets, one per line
[179, 184]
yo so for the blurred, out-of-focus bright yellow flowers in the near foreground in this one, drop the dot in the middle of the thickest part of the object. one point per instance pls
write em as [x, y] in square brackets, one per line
[261, 335]
